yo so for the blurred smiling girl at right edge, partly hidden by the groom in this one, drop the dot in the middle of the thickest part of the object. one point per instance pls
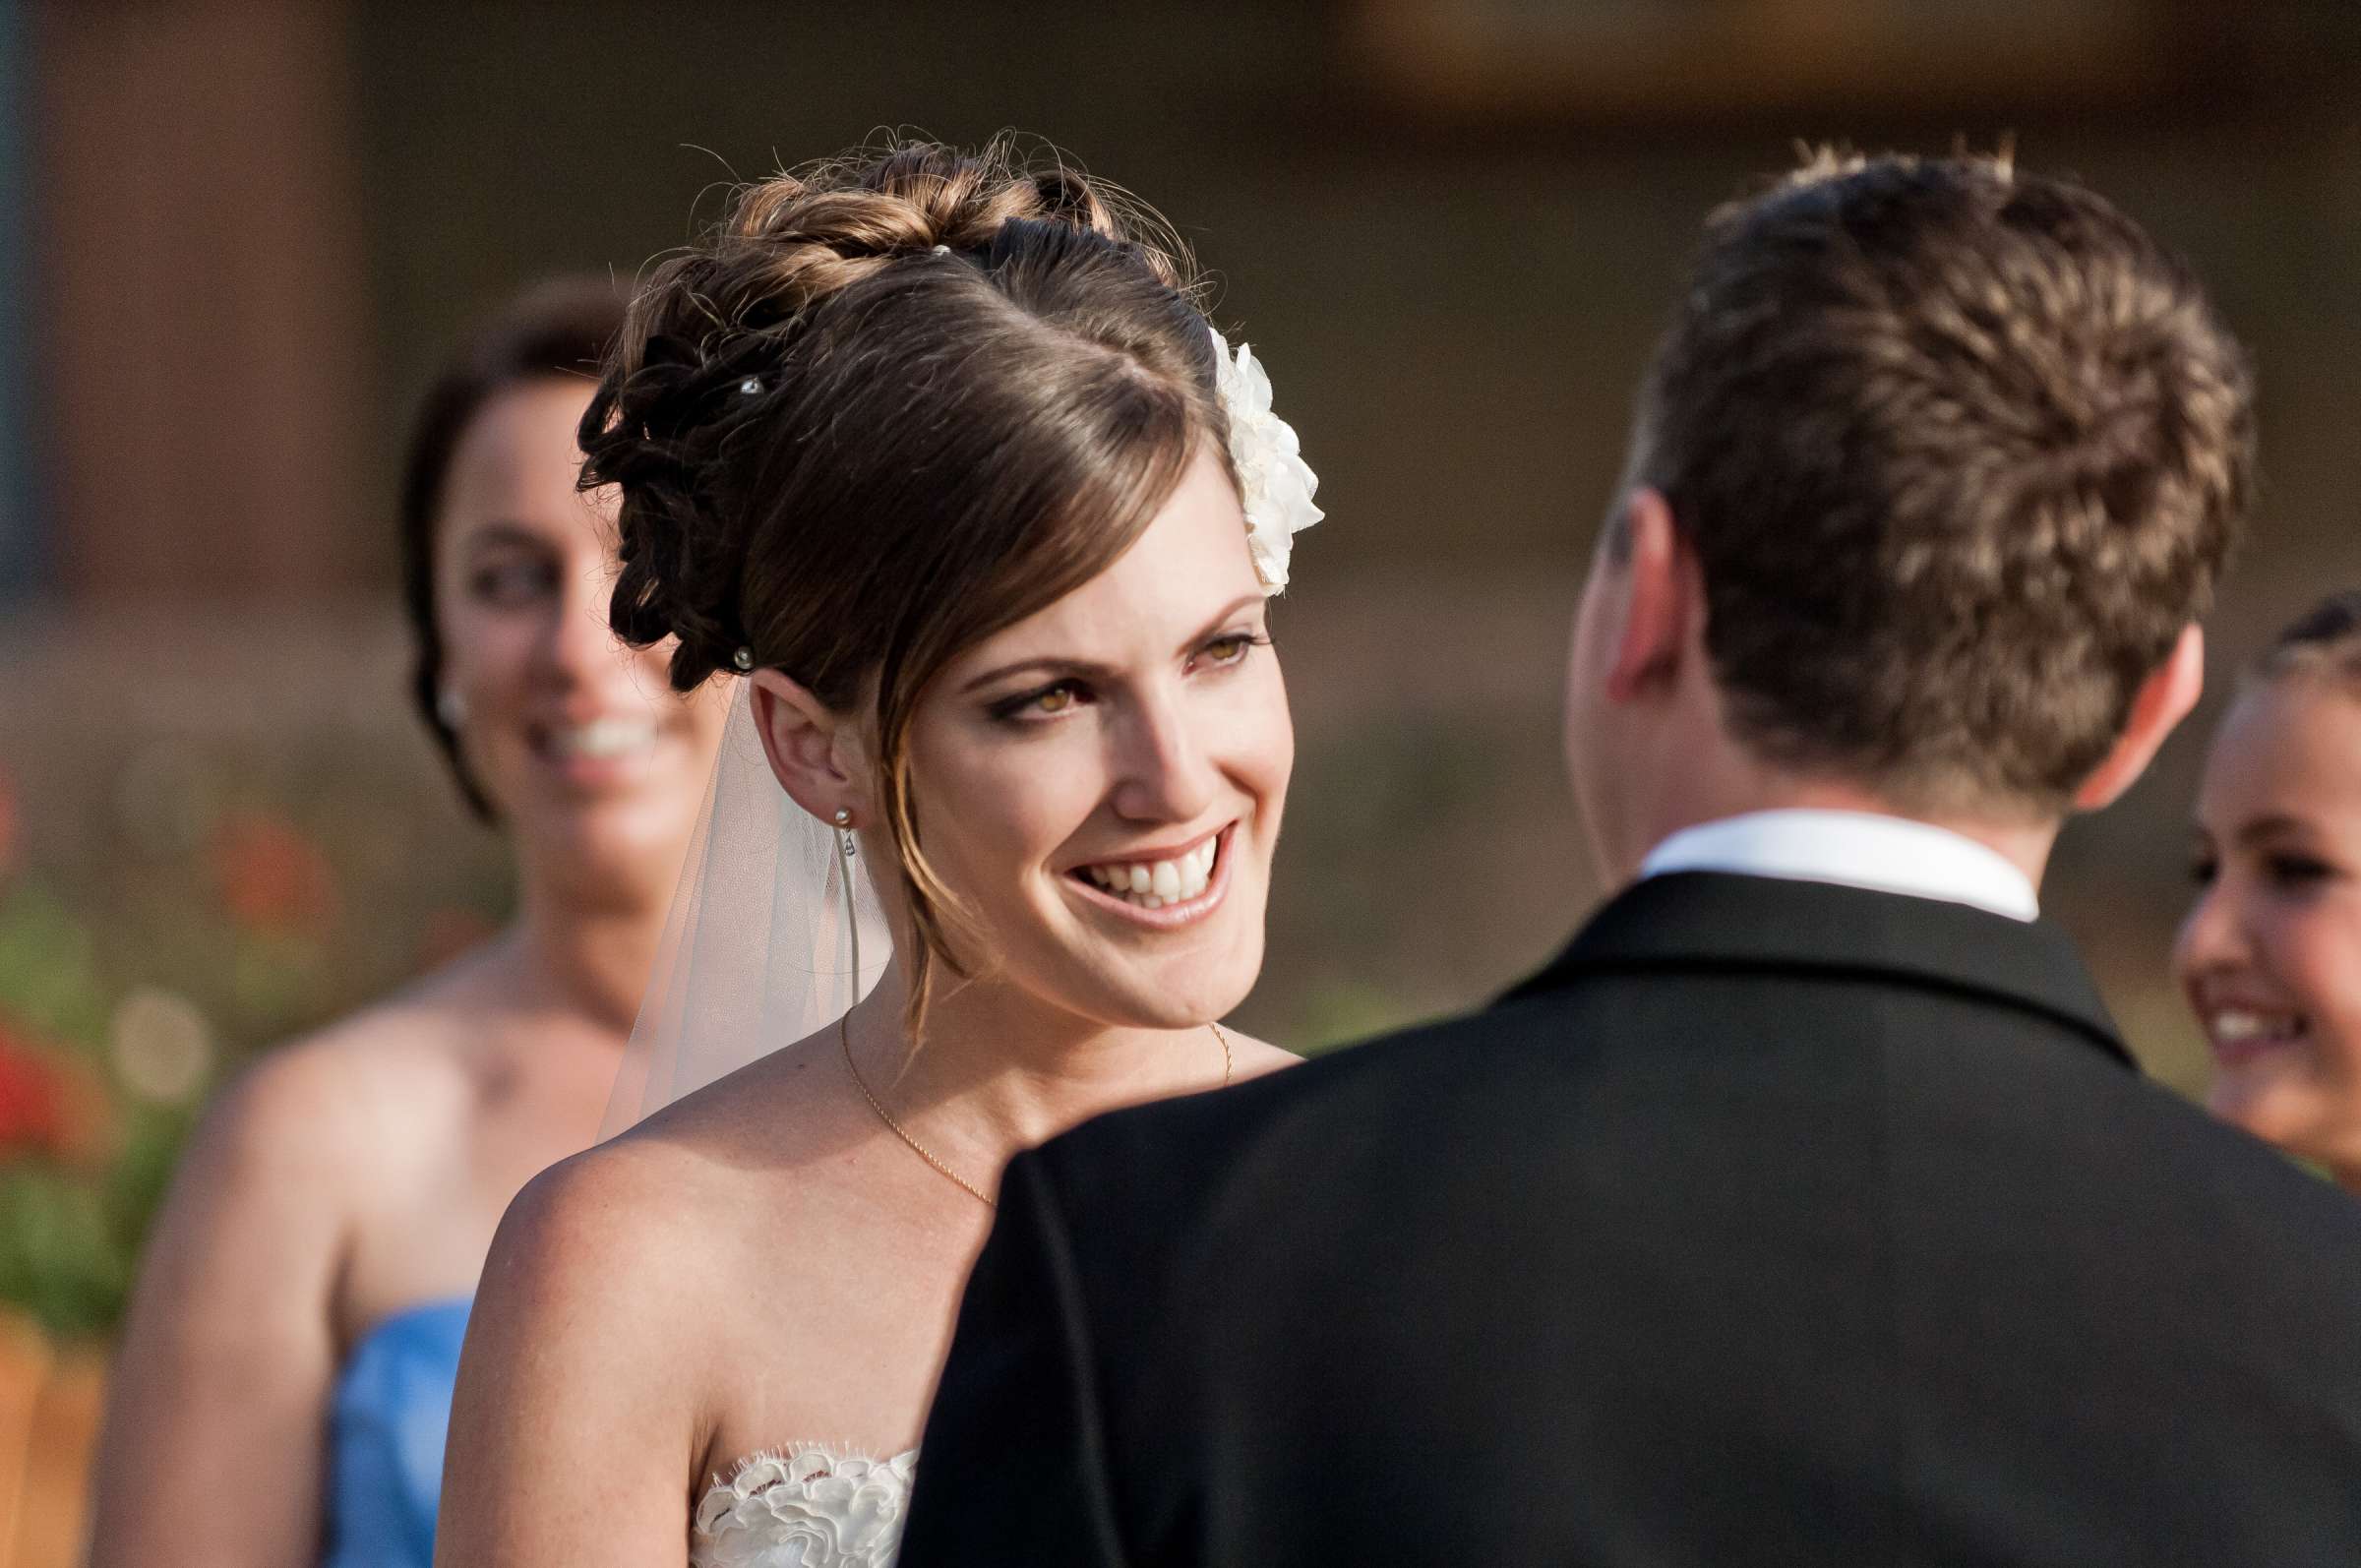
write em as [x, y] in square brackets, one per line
[2272, 950]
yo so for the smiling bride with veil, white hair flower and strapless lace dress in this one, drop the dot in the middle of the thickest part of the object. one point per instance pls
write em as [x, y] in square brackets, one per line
[938, 455]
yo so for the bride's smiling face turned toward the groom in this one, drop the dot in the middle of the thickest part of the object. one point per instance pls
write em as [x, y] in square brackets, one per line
[1101, 783]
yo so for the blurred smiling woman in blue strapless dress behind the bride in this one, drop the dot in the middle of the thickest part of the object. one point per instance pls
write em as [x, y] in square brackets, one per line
[285, 1383]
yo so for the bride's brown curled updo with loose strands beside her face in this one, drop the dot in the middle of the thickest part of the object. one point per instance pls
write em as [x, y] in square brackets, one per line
[894, 405]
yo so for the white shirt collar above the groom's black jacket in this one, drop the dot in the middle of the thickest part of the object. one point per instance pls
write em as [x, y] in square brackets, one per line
[1855, 851]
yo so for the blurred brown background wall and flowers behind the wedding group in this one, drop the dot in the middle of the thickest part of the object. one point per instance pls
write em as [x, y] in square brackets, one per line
[237, 235]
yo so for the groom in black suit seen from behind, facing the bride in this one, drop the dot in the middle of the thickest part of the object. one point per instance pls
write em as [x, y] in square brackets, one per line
[1807, 1208]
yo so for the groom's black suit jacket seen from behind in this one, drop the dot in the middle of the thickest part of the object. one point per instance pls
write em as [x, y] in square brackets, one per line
[1770, 1224]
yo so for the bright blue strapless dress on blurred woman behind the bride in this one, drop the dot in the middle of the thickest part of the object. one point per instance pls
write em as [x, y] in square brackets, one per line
[386, 1439]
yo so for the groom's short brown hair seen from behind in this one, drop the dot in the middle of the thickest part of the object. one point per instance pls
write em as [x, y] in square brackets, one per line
[1961, 455]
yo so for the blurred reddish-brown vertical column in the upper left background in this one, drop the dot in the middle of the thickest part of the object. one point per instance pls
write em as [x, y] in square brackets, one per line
[204, 318]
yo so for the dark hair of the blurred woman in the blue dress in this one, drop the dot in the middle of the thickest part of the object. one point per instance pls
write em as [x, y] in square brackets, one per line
[554, 332]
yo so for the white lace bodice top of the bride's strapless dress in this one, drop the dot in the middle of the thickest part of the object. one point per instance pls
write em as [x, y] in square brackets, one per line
[804, 1508]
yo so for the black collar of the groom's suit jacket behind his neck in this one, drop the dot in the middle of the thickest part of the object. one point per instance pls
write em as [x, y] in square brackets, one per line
[1718, 922]
